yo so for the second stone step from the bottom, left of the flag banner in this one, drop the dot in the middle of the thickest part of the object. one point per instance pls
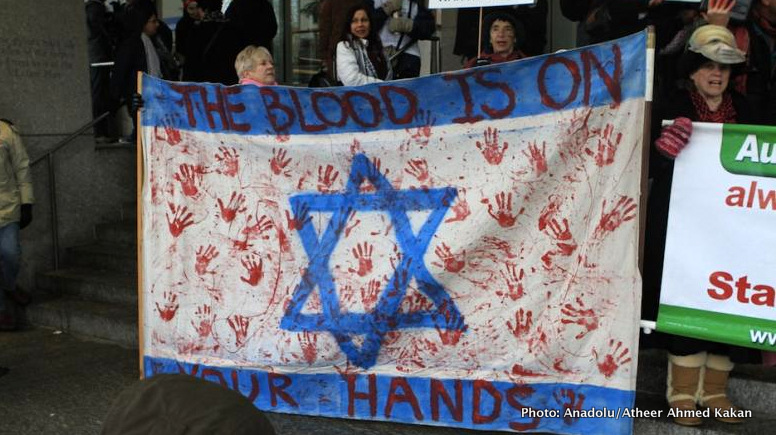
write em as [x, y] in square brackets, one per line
[90, 284]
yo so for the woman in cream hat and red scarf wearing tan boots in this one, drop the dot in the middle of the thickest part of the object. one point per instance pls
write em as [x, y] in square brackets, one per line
[697, 370]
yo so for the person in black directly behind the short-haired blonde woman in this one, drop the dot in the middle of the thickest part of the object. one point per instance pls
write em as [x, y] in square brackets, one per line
[254, 22]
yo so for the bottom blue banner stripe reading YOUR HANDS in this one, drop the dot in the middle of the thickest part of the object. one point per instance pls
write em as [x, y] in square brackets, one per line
[473, 404]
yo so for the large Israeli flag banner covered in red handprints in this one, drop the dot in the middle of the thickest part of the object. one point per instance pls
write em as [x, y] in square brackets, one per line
[458, 249]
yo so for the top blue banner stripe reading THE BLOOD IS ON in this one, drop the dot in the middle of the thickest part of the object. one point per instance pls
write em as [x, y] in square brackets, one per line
[603, 74]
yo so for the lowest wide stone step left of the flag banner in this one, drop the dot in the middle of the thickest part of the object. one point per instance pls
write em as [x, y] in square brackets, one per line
[112, 322]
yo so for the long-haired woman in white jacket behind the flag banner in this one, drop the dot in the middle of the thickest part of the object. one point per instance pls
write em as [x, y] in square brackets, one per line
[360, 59]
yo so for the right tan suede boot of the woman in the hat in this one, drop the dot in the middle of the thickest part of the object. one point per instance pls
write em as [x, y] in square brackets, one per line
[714, 386]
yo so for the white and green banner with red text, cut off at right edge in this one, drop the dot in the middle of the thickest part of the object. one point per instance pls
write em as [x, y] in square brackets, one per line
[718, 282]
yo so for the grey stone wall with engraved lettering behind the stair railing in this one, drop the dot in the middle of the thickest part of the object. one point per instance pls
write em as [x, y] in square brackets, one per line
[45, 91]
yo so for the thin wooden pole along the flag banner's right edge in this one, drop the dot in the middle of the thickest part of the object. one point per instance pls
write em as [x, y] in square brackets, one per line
[646, 143]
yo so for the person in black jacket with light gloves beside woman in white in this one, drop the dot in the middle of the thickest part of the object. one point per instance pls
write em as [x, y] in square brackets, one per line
[401, 24]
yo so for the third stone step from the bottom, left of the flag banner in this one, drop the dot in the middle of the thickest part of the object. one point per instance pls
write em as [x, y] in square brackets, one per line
[104, 256]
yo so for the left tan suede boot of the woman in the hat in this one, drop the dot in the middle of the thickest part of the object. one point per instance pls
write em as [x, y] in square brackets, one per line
[684, 374]
